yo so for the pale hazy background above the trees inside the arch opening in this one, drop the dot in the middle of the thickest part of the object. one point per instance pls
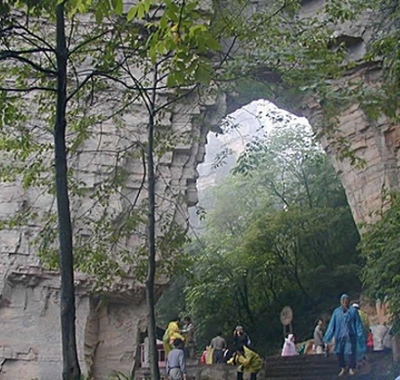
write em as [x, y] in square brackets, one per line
[238, 131]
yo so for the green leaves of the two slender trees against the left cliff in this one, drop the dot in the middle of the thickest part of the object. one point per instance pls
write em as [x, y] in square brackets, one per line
[174, 37]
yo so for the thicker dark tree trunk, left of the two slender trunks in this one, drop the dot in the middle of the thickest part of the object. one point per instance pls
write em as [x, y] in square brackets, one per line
[71, 369]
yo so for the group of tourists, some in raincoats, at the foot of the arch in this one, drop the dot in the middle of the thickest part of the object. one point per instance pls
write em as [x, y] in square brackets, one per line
[348, 328]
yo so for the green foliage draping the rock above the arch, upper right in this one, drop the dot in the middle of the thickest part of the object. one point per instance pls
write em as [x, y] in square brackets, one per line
[293, 53]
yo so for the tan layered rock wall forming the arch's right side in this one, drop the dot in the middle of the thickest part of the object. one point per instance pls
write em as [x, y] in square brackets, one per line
[377, 144]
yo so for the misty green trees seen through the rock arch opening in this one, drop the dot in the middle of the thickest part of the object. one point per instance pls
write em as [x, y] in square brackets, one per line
[289, 240]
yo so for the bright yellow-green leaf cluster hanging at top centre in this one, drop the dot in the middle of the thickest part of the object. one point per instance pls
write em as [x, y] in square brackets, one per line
[180, 37]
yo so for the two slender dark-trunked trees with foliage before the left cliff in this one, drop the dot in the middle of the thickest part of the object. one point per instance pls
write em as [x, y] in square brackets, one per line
[77, 66]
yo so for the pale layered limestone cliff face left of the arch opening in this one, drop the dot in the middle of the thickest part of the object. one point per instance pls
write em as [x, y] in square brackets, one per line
[111, 320]
